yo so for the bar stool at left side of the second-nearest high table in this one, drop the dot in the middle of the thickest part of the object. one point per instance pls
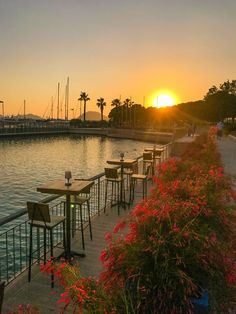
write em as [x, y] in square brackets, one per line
[112, 176]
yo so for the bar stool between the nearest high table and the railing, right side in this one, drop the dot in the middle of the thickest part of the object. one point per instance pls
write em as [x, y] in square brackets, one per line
[77, 202]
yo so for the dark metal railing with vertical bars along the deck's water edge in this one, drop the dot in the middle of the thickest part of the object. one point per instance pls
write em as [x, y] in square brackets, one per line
[14, 241]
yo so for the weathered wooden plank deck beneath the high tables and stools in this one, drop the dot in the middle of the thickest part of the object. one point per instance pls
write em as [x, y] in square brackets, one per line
[38, 292]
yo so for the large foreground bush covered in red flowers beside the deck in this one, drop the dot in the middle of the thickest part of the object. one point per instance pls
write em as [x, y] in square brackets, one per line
[172, 246]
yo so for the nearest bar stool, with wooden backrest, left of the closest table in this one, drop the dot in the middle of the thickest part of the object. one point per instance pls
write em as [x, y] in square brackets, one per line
[40, 217]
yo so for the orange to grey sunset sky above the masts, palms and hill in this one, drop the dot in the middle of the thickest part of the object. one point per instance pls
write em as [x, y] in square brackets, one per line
[113, 48]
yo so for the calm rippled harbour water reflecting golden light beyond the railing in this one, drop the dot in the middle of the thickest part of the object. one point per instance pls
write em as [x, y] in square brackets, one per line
[27, 163]
